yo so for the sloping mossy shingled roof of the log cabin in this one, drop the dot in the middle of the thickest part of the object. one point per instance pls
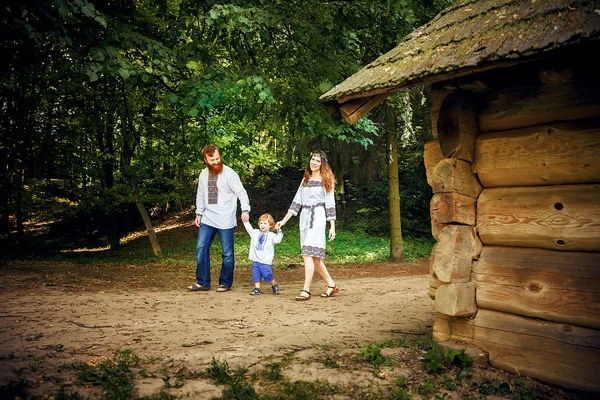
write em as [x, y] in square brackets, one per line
[470, 36]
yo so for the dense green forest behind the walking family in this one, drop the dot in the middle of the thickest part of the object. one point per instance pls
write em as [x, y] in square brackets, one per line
[106, 105]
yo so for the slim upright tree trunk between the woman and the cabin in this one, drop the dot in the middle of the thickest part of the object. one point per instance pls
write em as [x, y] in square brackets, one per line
[396, 250]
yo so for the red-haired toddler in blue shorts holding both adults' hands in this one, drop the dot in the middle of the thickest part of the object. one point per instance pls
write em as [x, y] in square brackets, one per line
[262, 243]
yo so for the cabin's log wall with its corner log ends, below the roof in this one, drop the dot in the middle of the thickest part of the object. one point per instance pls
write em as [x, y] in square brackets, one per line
[516, 217]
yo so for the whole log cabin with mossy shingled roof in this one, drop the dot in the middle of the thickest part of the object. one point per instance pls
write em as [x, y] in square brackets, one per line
[514, 169]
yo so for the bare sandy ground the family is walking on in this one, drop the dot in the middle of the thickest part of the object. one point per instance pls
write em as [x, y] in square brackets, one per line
[45, 326]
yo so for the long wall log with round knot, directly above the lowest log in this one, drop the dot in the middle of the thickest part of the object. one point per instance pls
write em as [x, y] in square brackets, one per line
[552, 285]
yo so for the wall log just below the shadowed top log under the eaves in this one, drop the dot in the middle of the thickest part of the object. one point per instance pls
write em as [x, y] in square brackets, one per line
[541, 155]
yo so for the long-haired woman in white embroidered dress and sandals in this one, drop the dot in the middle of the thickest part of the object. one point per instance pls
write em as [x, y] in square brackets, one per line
[315, 198]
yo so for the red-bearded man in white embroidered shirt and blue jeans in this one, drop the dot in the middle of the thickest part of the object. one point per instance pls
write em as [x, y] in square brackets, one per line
[219, 188]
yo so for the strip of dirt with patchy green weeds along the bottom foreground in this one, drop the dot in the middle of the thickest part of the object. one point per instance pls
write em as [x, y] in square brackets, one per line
[397, 369]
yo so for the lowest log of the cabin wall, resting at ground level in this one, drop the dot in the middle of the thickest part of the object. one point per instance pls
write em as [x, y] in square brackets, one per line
[559, 354]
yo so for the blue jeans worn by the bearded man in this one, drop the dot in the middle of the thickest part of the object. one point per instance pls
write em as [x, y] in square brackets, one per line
[206, 235]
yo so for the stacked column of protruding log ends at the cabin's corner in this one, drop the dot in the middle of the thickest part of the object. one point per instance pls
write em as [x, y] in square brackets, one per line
[453, 206]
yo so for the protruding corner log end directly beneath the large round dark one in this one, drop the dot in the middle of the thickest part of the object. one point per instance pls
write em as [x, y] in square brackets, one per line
[453, 175]
